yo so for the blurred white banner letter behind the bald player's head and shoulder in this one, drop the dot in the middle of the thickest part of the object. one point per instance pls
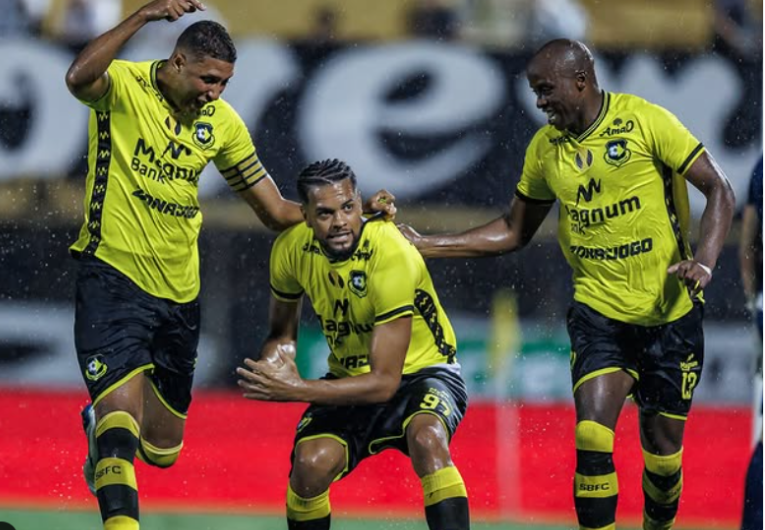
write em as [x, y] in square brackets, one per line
[702, 96]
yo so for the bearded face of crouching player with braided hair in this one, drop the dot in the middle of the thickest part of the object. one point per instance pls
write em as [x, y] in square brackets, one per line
[333, 211]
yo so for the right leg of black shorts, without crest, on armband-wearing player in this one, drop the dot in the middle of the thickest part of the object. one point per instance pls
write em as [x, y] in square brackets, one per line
[174, 353]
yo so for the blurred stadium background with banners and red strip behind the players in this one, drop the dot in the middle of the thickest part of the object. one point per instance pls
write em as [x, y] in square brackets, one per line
[425, 98]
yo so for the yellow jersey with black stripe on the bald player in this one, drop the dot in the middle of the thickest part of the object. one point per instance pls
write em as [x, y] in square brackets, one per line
[623, 202]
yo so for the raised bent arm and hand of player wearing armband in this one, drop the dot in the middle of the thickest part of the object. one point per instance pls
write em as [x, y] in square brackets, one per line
[87, 78]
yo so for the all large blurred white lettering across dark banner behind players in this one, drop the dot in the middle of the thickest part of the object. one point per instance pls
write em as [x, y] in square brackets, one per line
[344, 110]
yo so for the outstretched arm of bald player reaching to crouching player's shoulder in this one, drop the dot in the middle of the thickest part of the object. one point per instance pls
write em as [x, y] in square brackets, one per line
[507, 233]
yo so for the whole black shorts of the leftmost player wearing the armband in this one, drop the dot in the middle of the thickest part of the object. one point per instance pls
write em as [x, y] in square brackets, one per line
[120, 331]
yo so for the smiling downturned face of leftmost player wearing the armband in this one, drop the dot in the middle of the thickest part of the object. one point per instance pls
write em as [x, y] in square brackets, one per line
[196, 81]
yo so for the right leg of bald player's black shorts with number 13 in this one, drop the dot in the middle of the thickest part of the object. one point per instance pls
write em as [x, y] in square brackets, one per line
[670, 366]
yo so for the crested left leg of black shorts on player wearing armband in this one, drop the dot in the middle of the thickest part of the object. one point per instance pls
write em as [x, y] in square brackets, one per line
[112, 330]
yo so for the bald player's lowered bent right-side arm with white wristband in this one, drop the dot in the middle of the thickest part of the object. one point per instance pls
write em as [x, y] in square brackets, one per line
[706, 176]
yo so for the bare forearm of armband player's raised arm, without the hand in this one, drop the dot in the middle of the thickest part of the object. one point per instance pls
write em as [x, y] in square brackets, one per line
[94, 60]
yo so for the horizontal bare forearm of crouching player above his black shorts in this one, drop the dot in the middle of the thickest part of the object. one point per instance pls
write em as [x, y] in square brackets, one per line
[358, 390]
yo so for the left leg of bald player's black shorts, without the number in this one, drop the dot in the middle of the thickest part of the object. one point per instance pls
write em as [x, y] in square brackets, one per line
[599, 346]
